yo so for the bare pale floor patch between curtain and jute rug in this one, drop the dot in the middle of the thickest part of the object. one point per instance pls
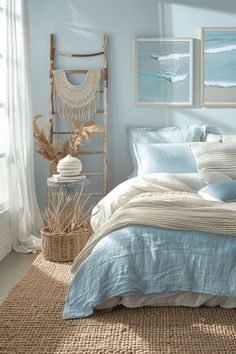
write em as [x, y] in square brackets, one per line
[12, 269]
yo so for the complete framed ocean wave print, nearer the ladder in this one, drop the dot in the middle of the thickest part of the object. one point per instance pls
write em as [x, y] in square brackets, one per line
[164, 71]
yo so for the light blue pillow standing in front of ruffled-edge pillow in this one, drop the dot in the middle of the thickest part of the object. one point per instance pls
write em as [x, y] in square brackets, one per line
[169, 158]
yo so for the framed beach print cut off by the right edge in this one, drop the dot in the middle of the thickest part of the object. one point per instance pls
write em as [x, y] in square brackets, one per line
[218, 66]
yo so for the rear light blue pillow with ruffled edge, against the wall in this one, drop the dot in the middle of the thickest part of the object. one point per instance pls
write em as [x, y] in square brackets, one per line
[172, 134]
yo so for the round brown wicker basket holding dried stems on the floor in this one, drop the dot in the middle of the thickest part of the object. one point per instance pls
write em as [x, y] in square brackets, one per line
[64, 247]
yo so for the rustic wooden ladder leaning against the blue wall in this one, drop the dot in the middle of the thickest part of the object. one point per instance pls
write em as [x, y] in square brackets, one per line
[102, 111]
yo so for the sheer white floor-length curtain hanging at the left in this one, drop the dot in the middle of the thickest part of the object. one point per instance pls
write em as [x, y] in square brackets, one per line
[25, 219]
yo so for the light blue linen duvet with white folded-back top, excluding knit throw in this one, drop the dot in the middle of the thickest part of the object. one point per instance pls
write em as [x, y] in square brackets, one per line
[142, 260]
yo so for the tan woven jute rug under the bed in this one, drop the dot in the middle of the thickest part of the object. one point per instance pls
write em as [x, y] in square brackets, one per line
[30, 322]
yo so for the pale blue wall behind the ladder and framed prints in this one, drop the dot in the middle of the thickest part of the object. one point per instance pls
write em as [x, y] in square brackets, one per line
[79, 25]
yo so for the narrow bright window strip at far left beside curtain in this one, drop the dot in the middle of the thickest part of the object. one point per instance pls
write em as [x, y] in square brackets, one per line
[3, 117]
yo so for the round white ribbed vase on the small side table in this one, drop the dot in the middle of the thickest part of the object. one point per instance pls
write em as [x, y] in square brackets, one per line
[69, 166]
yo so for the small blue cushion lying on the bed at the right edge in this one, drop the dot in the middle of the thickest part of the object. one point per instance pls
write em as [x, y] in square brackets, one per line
[220, 191]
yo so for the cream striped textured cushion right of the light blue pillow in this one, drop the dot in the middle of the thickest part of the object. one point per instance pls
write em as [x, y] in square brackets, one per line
[215, 157]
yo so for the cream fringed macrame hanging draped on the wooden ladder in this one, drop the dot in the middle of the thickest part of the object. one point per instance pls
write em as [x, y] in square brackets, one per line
[76, 103]
